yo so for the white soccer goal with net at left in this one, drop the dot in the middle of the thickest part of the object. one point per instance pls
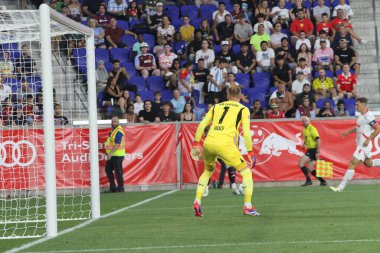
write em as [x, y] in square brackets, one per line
[49, 168]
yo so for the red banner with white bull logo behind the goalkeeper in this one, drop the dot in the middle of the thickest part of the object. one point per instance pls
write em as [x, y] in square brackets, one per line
[278, 148]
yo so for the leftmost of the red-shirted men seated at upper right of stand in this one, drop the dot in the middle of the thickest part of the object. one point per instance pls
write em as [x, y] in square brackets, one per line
[302, 24]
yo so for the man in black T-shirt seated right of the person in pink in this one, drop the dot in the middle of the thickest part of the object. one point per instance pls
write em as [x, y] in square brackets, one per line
[346, 55]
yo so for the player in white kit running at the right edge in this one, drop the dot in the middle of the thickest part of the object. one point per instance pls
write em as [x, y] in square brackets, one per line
[366, 130]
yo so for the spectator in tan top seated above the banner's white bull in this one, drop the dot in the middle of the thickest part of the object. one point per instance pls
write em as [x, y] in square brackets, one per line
[283, 98]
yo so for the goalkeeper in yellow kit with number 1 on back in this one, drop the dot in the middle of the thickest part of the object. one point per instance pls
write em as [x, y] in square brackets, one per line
[221, 142]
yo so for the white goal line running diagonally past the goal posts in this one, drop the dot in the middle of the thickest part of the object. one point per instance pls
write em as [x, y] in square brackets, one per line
[86, 223]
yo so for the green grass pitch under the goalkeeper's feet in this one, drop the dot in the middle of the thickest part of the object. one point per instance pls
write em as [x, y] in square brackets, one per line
[294, 219]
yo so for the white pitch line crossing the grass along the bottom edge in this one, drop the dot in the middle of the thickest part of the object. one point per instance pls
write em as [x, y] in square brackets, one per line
[213, 246]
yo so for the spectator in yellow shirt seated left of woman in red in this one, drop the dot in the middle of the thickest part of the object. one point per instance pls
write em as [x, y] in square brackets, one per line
[323, 86]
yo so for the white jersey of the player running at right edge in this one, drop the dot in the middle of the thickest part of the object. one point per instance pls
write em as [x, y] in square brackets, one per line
[364, 127]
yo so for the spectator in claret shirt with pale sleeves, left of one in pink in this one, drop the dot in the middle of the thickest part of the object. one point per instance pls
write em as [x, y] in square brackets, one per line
[146, 63]
